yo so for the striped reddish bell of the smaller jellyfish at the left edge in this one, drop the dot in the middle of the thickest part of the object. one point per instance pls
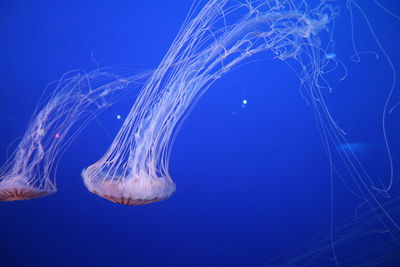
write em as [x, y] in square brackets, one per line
[18, 187]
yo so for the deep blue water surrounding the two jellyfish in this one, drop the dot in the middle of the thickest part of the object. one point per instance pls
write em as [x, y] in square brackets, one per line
[252, 182]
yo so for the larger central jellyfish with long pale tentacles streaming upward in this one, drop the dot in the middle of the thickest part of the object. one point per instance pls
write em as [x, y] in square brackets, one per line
[134, 170]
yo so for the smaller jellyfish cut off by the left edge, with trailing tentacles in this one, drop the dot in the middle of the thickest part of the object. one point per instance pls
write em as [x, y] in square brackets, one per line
[78, 96]
